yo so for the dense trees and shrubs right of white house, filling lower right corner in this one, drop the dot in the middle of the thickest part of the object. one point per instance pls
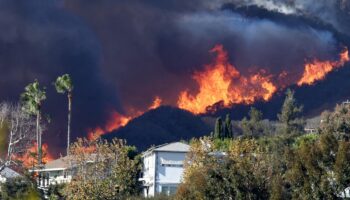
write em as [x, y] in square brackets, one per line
[281, 163]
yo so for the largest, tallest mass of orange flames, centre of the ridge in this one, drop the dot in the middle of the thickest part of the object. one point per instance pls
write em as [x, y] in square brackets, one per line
[222, 82]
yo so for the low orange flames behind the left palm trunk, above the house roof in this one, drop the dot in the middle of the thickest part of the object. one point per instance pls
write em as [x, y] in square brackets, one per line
[29, 158]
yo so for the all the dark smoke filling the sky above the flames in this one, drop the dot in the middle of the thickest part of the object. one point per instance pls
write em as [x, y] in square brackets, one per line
[122, 54]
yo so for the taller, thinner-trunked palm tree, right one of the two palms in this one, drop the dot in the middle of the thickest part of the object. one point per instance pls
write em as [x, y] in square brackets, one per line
[64, 85]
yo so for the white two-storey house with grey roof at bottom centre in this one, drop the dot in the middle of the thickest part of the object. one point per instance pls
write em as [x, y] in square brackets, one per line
[163, 168]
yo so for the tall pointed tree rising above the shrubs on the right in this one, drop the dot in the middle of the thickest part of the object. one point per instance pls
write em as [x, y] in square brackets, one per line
[289, 117]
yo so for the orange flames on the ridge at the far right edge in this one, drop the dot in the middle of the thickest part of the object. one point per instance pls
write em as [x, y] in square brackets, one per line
[317, 70]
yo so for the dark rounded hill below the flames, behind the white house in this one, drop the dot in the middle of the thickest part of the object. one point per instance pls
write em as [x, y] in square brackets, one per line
[162, 125]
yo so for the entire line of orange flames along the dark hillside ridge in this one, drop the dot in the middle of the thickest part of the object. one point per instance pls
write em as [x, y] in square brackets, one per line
[221, 83]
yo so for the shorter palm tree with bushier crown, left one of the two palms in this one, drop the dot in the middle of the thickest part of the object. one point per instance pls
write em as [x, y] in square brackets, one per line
[32, 99]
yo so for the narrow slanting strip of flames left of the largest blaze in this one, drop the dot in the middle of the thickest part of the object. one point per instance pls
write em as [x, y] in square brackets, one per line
[118, 120]
